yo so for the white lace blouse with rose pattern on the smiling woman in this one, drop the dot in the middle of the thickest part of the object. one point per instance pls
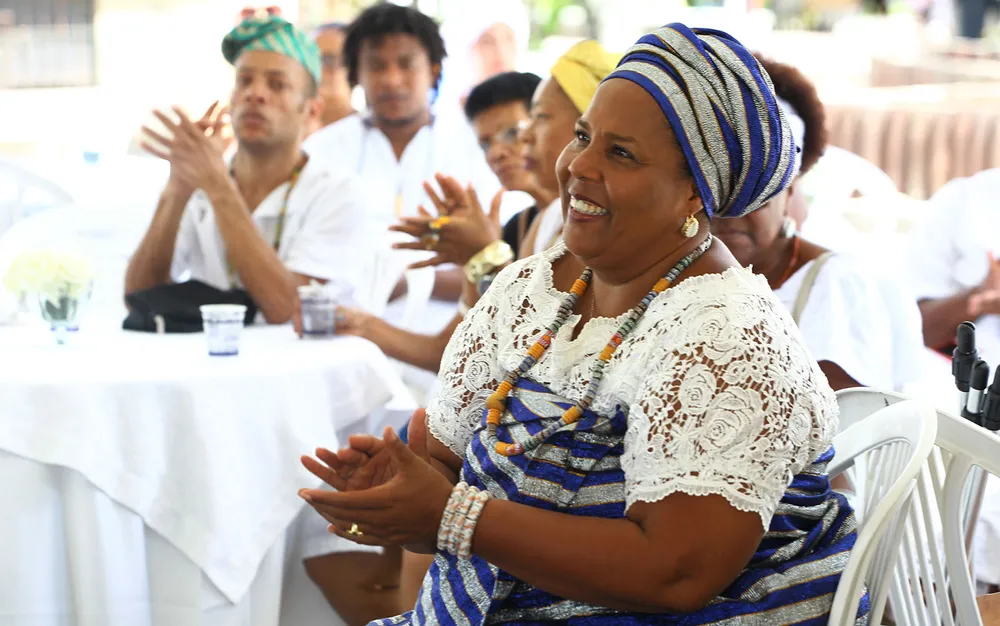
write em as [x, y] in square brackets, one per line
[721, 393]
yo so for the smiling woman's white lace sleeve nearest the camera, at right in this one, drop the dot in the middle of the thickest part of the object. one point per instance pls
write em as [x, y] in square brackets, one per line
[731, 405]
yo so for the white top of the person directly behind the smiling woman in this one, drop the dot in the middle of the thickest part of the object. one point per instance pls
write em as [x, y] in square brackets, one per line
[871, 330]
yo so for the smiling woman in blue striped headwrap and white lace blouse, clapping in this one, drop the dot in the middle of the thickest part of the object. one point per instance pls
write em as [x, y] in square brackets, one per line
[628, 411]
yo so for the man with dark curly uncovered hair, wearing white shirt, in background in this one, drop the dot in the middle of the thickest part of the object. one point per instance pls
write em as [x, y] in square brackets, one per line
[395, 54]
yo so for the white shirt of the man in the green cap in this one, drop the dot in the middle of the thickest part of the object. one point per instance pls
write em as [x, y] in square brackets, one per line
[325, 234]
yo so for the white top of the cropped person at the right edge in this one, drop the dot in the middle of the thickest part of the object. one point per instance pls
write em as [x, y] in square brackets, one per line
[948, 250]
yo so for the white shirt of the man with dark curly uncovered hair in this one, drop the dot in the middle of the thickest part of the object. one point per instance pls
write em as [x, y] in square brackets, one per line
[354, 145]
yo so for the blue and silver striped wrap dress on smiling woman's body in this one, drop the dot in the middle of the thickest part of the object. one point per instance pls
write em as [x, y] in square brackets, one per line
[790, 580]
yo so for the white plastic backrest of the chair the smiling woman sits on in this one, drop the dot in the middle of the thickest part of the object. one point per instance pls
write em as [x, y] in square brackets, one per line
[894, 442]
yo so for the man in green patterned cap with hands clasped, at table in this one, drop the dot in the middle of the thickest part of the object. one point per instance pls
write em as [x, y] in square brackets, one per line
[269, 220]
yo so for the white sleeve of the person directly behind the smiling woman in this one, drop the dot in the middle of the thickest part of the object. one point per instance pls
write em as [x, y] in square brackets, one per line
[846, 322]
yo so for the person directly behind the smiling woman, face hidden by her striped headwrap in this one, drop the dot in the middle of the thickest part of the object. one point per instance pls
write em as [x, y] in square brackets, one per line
[838, 304]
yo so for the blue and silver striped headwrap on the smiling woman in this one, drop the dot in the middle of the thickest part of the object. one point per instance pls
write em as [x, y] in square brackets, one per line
[721, 105]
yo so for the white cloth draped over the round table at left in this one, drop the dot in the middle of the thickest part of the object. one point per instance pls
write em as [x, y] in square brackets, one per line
[204, 450]
